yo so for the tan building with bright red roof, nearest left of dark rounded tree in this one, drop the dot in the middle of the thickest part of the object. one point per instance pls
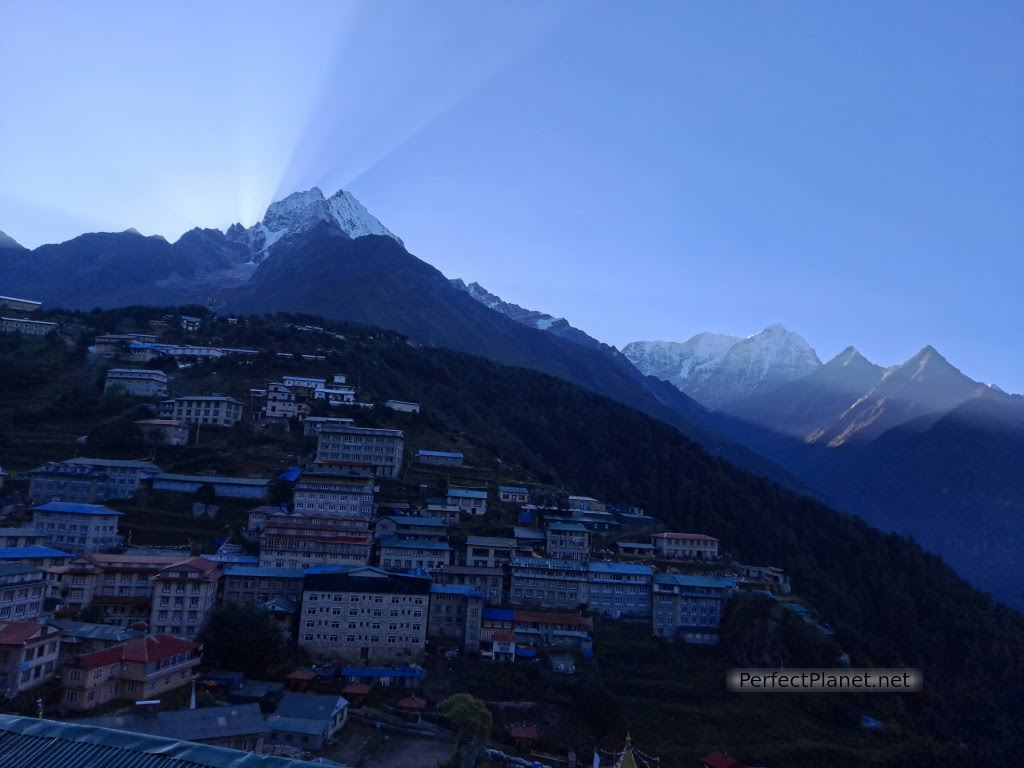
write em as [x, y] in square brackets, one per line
[147, 668]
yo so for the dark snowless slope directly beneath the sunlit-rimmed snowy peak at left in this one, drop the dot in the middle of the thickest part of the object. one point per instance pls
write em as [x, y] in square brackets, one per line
[375, 281]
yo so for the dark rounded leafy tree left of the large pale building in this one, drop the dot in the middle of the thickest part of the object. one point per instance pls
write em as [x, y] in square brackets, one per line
[244, 638]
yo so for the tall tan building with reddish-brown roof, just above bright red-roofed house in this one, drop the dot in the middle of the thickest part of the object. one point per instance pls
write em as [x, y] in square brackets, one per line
[183, 595]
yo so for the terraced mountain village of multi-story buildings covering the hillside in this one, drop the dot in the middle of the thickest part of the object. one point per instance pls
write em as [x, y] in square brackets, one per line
[382, 564]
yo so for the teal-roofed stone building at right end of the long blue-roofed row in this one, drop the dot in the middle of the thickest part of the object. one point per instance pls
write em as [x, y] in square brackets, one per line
[690, 608]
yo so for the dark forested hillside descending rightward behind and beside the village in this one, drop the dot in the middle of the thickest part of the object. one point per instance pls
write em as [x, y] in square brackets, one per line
[890, 603]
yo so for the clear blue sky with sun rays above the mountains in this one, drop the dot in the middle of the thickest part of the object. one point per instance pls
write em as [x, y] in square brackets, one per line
[855, 170]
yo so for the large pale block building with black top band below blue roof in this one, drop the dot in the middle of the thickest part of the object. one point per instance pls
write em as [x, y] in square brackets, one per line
[366, 615]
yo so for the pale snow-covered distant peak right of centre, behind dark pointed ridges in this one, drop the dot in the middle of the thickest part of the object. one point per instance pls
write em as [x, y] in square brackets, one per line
[716, 369]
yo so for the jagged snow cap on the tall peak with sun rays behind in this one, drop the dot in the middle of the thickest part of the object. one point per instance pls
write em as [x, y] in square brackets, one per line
[303, 211]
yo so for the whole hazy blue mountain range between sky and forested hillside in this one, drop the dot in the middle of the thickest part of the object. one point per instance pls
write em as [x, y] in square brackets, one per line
[918, 448]
